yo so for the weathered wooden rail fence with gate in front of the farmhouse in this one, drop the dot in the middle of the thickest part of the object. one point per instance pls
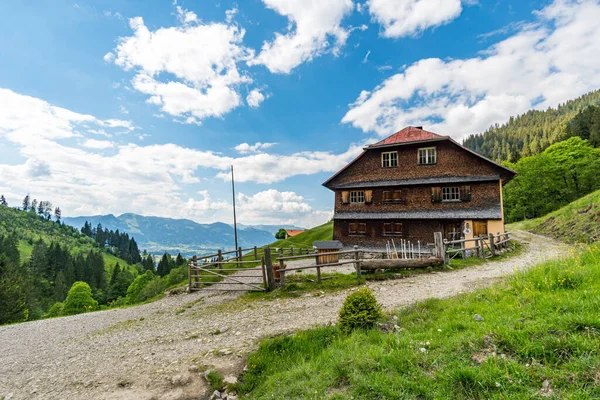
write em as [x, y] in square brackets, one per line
[215, 269]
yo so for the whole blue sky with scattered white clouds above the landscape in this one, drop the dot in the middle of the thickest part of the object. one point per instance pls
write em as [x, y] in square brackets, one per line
[141, 106]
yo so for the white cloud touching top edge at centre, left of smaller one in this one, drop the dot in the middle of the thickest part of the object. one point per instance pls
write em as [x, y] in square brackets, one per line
[313, 29]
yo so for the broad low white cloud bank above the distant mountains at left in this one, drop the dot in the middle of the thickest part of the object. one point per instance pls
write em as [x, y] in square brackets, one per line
[98, 176]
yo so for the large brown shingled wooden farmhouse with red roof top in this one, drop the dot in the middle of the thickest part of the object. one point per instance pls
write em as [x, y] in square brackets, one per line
[415, 183]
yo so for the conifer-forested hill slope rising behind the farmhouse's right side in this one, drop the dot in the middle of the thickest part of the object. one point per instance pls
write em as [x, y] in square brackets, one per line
[529, 133]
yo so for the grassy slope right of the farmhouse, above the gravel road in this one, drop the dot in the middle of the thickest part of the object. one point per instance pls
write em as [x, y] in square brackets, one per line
[578, 221]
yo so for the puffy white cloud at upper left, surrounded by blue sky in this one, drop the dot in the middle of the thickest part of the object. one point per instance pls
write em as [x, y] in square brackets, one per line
[189, 71]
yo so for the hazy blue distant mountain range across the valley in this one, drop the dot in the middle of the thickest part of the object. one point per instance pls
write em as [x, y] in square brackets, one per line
[157, 234]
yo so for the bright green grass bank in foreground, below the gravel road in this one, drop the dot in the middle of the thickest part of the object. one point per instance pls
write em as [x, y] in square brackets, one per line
[538, 336]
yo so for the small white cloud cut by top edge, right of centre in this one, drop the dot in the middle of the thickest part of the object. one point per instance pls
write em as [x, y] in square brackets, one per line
[410, 17]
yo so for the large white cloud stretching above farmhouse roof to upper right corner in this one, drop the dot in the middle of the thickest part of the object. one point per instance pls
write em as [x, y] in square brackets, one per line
[553, 60]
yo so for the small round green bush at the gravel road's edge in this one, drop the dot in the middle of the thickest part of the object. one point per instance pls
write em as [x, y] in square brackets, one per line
[360, 310]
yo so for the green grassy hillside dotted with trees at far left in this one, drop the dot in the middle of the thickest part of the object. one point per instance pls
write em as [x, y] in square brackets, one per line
[30, 228]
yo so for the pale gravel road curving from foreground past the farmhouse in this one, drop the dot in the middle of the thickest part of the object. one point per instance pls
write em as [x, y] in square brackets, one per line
[153, 351]
